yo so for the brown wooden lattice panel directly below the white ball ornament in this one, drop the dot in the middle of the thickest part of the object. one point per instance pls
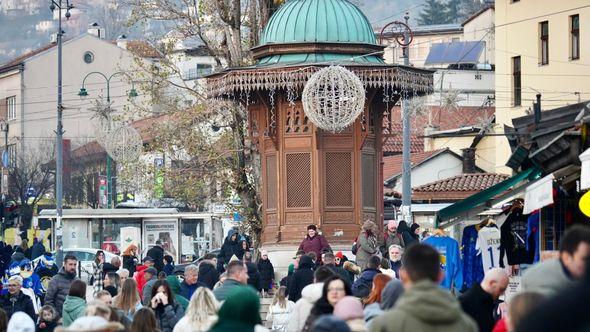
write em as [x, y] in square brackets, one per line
[338, 179]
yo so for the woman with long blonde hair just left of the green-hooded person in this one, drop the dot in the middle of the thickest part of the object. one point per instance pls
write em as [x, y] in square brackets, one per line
[201, 313]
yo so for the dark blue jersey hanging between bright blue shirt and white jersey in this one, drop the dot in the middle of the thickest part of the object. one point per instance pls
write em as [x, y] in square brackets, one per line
[472, 264]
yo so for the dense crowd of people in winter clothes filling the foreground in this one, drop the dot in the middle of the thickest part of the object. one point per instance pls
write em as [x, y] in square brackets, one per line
[392, 285]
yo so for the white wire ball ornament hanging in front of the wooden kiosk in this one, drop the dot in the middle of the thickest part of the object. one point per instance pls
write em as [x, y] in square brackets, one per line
[333, 98]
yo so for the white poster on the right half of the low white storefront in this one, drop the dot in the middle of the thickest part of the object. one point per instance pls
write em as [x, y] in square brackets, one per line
[166, 232]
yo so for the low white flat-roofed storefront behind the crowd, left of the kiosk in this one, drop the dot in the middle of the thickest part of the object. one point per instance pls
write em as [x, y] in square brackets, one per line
[183, 235]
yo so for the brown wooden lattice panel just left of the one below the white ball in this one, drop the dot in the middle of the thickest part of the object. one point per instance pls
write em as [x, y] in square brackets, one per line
[298, 179]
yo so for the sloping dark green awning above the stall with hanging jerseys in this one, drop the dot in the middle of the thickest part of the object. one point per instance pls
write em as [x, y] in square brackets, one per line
[453, 214]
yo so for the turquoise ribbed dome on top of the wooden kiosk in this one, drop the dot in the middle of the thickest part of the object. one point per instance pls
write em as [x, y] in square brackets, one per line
[313, 21]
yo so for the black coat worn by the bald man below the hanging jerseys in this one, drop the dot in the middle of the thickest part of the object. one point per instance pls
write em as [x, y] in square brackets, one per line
[479, 305]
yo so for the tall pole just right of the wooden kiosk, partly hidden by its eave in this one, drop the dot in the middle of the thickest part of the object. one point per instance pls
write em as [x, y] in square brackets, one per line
[406, 166]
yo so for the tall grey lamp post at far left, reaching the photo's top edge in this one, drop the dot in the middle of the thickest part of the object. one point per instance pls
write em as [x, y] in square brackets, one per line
[59, 4]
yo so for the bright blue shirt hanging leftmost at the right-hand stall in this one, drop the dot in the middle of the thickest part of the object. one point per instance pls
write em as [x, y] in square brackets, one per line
[450, 260]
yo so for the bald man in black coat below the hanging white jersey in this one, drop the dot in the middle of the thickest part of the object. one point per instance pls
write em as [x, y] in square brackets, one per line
[479, 300]
